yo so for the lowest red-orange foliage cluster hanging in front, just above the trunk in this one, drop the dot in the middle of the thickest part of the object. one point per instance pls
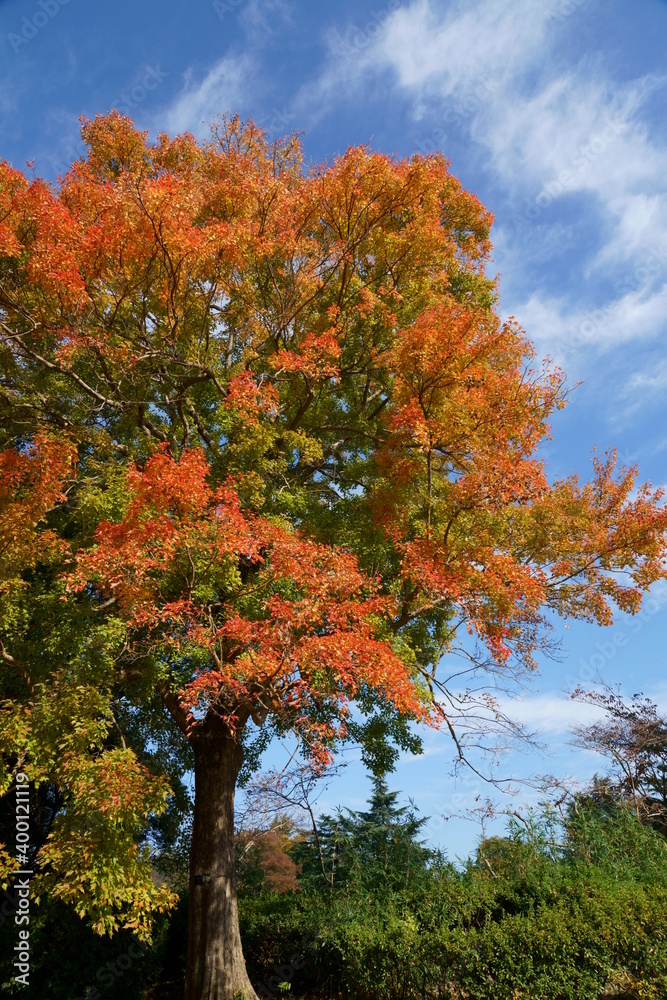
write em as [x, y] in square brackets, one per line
[279, 622]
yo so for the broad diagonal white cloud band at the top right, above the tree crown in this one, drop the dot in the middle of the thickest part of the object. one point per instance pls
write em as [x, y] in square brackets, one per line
[575, 130]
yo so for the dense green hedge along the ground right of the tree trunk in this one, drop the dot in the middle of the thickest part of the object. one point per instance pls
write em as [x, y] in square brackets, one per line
[583, 918]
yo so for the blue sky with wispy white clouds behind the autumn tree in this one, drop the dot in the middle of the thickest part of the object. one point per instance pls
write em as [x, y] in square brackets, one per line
[551, 111]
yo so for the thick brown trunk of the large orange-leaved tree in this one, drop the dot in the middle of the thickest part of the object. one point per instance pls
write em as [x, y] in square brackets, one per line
[215, 965]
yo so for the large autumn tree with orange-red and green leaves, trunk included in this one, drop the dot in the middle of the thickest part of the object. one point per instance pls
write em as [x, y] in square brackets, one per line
[306, 460]
